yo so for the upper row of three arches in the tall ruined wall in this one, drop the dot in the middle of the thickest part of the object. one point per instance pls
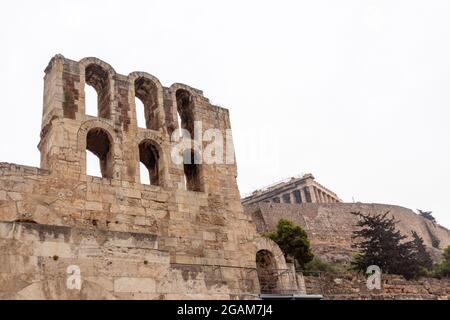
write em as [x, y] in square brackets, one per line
[145, 94]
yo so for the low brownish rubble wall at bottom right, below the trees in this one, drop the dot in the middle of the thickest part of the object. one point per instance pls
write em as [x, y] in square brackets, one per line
[351, 286]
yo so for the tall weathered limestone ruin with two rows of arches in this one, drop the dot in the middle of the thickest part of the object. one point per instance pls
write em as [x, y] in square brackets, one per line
[183, 236]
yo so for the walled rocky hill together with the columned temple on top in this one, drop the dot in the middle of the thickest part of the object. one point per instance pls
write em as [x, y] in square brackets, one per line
[328, 220]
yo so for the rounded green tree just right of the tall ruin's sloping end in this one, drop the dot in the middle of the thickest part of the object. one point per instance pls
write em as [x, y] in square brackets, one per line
[293, 241]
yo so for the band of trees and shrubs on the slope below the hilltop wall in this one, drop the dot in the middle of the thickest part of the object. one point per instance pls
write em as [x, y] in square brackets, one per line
[378, 242]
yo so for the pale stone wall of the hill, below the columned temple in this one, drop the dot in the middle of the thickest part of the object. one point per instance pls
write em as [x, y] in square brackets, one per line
[330, 225]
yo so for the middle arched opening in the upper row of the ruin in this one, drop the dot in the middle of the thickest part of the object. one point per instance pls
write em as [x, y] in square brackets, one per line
[146, 92]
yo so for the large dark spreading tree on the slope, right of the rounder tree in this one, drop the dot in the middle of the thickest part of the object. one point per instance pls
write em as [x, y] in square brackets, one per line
[380, 243]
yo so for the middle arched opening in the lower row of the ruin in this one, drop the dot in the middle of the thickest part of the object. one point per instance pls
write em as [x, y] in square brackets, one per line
[149, 160]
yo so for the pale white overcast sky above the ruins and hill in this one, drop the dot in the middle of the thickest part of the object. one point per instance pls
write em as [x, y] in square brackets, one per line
[355, 92]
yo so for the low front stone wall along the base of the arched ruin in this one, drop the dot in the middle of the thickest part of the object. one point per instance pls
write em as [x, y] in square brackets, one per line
[114, 265]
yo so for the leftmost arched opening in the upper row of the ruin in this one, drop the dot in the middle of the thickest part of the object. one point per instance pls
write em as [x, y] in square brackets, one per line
[98, 78]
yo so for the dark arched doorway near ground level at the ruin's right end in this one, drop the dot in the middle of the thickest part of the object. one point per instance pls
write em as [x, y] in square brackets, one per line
[267, 271]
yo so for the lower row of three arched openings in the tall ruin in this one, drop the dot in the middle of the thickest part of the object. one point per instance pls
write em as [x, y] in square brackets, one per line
[100, 161]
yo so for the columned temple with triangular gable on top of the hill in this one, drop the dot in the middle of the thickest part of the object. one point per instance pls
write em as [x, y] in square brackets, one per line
[302, 189]
